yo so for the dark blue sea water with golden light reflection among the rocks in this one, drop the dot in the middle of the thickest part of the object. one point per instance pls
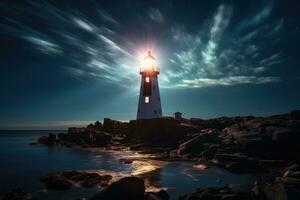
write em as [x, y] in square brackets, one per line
[22, 163]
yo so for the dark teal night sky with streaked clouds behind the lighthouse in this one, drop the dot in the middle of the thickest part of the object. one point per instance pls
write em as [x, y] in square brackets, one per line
[66, 63]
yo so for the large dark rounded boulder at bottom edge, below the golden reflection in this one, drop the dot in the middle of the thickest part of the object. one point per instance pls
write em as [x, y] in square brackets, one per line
[126, 188]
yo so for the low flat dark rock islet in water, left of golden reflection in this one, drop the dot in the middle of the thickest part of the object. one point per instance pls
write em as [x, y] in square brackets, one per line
[66, 180]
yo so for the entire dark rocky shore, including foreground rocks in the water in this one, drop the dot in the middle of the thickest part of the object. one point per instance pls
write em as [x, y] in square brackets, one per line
[266, 145]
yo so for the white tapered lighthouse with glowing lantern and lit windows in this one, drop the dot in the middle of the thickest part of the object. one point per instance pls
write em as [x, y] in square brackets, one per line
[149, 100]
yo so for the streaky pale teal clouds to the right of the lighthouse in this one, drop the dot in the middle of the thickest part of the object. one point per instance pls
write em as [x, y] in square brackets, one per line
[223, 59]
